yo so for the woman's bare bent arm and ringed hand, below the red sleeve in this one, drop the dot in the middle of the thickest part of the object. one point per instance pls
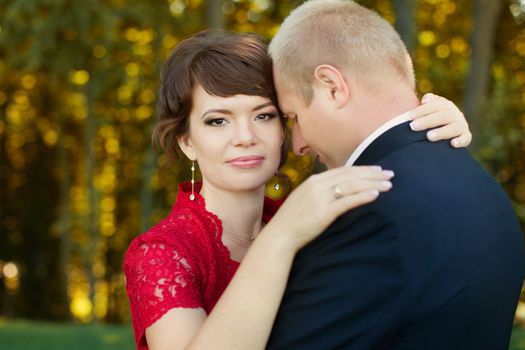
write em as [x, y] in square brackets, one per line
[243, 316]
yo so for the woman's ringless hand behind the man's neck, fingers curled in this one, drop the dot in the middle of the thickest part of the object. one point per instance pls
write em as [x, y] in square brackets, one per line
[443, 115]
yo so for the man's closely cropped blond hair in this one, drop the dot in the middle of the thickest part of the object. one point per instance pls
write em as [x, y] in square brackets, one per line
[341, 33]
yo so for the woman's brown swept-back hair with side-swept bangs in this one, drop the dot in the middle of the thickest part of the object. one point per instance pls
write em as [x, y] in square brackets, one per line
[224, 63]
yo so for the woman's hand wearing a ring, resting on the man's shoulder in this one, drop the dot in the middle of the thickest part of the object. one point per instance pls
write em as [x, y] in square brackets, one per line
[323, 197]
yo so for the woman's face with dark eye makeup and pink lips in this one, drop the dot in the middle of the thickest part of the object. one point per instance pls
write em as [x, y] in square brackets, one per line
[235, 140]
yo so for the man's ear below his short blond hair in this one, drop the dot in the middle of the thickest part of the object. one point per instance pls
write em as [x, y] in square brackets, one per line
[332, 81]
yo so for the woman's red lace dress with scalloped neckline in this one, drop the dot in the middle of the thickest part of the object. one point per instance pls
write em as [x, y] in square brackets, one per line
[180, 262]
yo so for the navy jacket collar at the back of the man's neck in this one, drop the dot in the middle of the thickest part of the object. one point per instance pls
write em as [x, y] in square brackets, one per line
[392, 140]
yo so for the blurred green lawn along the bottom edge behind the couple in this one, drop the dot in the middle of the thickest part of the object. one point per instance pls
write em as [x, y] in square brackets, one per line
[31, 335]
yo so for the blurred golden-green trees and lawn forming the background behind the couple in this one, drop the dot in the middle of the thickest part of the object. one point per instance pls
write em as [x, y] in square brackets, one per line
[79, 178]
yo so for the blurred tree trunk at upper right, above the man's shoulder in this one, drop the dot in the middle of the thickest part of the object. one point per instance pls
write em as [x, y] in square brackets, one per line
[486, 14]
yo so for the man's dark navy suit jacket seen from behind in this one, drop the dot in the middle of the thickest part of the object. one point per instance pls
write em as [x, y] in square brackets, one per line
[436, 263]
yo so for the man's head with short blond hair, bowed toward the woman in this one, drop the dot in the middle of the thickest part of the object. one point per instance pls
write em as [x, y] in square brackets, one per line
[330, 58]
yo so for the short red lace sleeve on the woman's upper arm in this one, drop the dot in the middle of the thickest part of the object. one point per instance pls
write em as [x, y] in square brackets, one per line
[158, 278]
